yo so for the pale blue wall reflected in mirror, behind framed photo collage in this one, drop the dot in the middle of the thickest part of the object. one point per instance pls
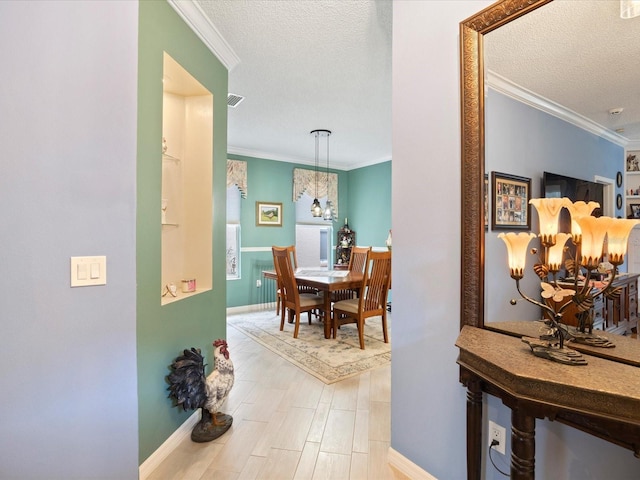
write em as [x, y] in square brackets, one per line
[524, 141]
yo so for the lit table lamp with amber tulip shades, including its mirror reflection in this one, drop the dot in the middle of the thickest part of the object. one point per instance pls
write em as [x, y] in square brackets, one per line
[589, 235]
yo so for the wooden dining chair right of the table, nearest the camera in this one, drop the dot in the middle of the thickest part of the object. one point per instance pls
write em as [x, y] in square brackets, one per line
[372, 300]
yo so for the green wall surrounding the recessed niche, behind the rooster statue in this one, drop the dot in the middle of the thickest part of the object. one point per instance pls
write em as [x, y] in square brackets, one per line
[163, 332]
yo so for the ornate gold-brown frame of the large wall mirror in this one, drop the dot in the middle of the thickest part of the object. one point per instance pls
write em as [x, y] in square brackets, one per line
[472, 31]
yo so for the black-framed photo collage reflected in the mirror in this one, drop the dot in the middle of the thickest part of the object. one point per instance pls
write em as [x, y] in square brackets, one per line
[510, 209]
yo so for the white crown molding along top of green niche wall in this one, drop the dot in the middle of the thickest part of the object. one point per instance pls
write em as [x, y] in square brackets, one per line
[197, 20]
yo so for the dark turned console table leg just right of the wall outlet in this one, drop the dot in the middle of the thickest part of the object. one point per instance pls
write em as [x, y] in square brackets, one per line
[523, 445]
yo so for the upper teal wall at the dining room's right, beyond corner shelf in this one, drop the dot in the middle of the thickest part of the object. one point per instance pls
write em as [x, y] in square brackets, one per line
[369, 192]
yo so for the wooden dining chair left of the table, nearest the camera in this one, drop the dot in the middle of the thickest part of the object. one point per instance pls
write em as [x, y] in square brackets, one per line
[292, 299]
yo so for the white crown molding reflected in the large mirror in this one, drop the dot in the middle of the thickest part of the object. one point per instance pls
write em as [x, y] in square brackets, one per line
[521, 94]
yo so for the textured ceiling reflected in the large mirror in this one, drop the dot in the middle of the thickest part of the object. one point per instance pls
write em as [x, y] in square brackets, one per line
[579, 54]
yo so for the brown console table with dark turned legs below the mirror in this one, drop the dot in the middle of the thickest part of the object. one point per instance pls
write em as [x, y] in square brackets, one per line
[601, 398]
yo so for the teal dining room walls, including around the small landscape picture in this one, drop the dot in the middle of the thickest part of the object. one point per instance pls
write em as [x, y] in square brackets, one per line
[272, 181]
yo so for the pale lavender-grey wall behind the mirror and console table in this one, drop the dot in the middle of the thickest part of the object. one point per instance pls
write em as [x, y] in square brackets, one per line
[428, 402]
